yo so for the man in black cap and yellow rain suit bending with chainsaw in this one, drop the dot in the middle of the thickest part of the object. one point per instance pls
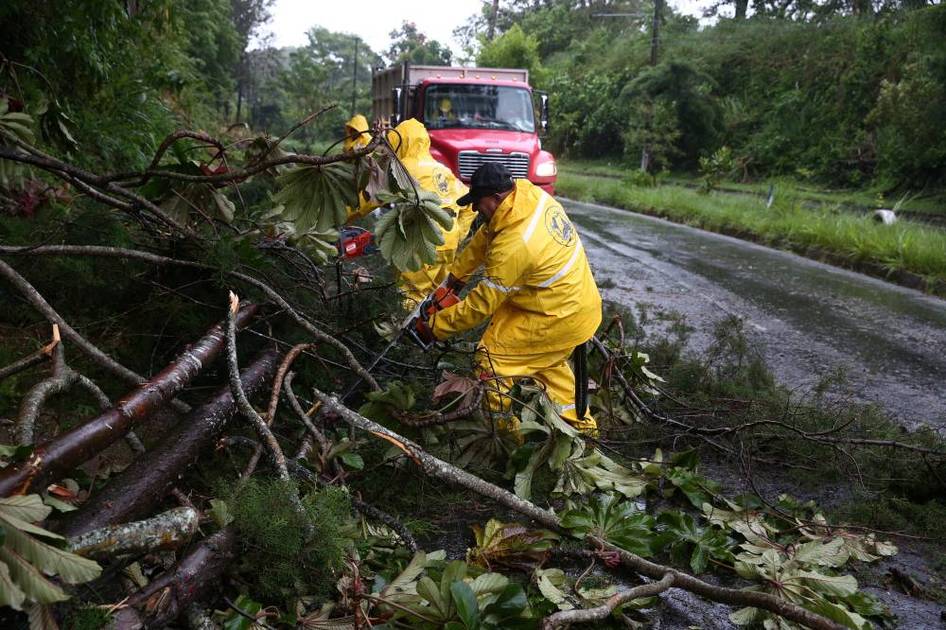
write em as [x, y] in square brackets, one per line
[537, 288]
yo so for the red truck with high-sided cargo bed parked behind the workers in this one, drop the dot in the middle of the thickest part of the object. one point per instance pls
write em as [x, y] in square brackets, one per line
[473, 115]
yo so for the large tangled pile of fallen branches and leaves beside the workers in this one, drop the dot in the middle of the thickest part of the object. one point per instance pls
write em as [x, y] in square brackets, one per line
[153, 539]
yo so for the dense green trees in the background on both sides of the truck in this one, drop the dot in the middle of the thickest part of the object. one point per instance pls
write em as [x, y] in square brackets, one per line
[843, 93]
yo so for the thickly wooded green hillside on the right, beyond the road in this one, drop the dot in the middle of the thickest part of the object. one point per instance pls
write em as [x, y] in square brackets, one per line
[818, 91]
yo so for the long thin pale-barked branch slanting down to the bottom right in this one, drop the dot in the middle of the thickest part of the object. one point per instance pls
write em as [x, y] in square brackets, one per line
[445, 471]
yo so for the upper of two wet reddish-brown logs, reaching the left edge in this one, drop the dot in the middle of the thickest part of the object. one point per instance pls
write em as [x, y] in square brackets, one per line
[70, 449]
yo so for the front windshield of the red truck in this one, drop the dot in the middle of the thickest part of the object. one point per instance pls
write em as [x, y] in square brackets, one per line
[478, 107]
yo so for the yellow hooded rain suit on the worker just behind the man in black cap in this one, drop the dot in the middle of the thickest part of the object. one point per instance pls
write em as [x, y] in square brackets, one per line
[412, 145]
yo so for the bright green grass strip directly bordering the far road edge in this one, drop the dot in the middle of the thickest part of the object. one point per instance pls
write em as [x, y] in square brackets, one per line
[848, 239]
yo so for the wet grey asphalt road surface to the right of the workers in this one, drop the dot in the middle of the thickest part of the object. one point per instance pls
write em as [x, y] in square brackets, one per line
[810, 318]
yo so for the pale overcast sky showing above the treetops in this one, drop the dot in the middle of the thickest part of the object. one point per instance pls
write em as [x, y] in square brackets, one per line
[373, 20]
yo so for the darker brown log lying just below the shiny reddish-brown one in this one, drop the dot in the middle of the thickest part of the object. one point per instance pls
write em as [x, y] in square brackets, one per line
[136, 491]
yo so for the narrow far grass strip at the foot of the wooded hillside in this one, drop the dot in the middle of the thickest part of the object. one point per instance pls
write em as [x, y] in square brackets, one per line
[932, 203]
